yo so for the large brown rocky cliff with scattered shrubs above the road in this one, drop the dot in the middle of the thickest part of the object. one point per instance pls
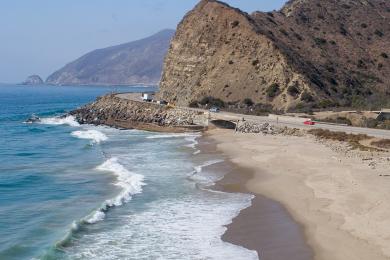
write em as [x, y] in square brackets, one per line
[317, 54]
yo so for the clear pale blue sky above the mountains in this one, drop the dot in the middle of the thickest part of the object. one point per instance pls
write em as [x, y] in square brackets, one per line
[41, 36]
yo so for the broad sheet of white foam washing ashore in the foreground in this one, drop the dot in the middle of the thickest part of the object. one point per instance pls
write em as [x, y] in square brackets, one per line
[182, 228]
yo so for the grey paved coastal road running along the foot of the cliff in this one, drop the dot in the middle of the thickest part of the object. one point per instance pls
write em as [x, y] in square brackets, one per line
[281, 122]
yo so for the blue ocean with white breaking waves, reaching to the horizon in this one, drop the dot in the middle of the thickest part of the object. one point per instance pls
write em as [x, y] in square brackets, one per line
[70, 191]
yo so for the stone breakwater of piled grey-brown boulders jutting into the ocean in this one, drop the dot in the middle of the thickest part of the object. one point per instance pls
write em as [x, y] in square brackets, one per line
[123, 113]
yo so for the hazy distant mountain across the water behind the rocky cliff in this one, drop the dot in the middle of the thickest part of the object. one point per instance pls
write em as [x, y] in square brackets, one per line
[138, 62]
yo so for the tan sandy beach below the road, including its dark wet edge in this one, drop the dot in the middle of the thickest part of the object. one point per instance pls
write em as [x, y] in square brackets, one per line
[339, 199]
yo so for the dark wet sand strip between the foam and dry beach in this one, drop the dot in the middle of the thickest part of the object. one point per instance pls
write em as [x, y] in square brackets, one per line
[266, 226]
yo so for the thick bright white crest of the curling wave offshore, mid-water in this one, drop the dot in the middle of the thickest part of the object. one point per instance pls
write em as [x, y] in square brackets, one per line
[131, 184]
